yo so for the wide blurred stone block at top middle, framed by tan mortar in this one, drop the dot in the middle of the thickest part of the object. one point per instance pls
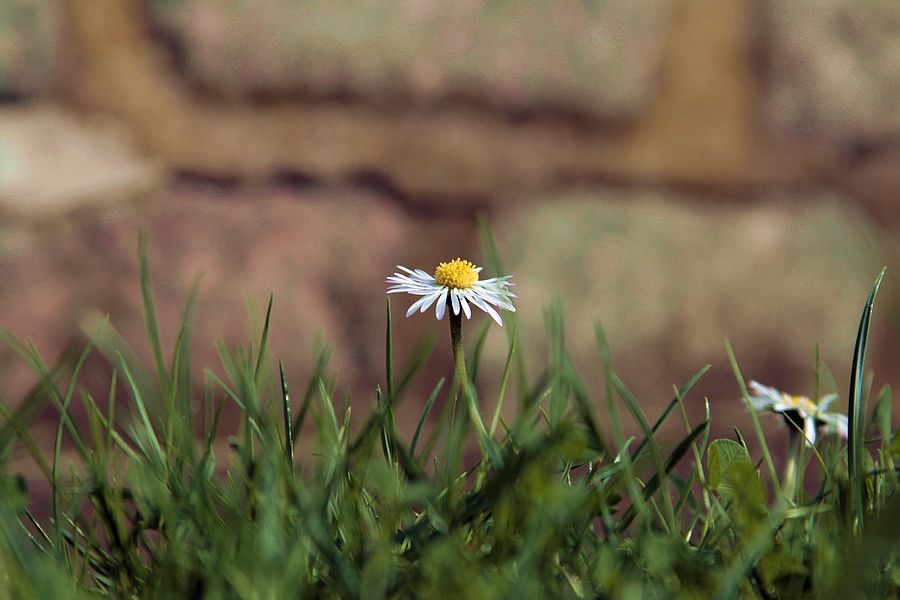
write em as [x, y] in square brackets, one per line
[597, 58]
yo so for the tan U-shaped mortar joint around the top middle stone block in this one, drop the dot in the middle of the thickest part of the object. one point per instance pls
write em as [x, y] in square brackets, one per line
[699, 130]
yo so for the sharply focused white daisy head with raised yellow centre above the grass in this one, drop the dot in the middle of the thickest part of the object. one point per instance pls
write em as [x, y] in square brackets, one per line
[456, 284]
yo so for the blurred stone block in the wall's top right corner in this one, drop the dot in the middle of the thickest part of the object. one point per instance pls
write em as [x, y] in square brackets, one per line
[834, 68]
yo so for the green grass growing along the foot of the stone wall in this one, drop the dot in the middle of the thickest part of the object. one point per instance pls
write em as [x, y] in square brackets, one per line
[307, 500]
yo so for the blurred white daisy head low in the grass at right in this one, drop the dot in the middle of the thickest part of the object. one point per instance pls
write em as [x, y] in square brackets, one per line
[795, 408]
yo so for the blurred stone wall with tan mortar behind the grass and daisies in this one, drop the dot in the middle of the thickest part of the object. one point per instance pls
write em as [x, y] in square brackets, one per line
[684, 171]
